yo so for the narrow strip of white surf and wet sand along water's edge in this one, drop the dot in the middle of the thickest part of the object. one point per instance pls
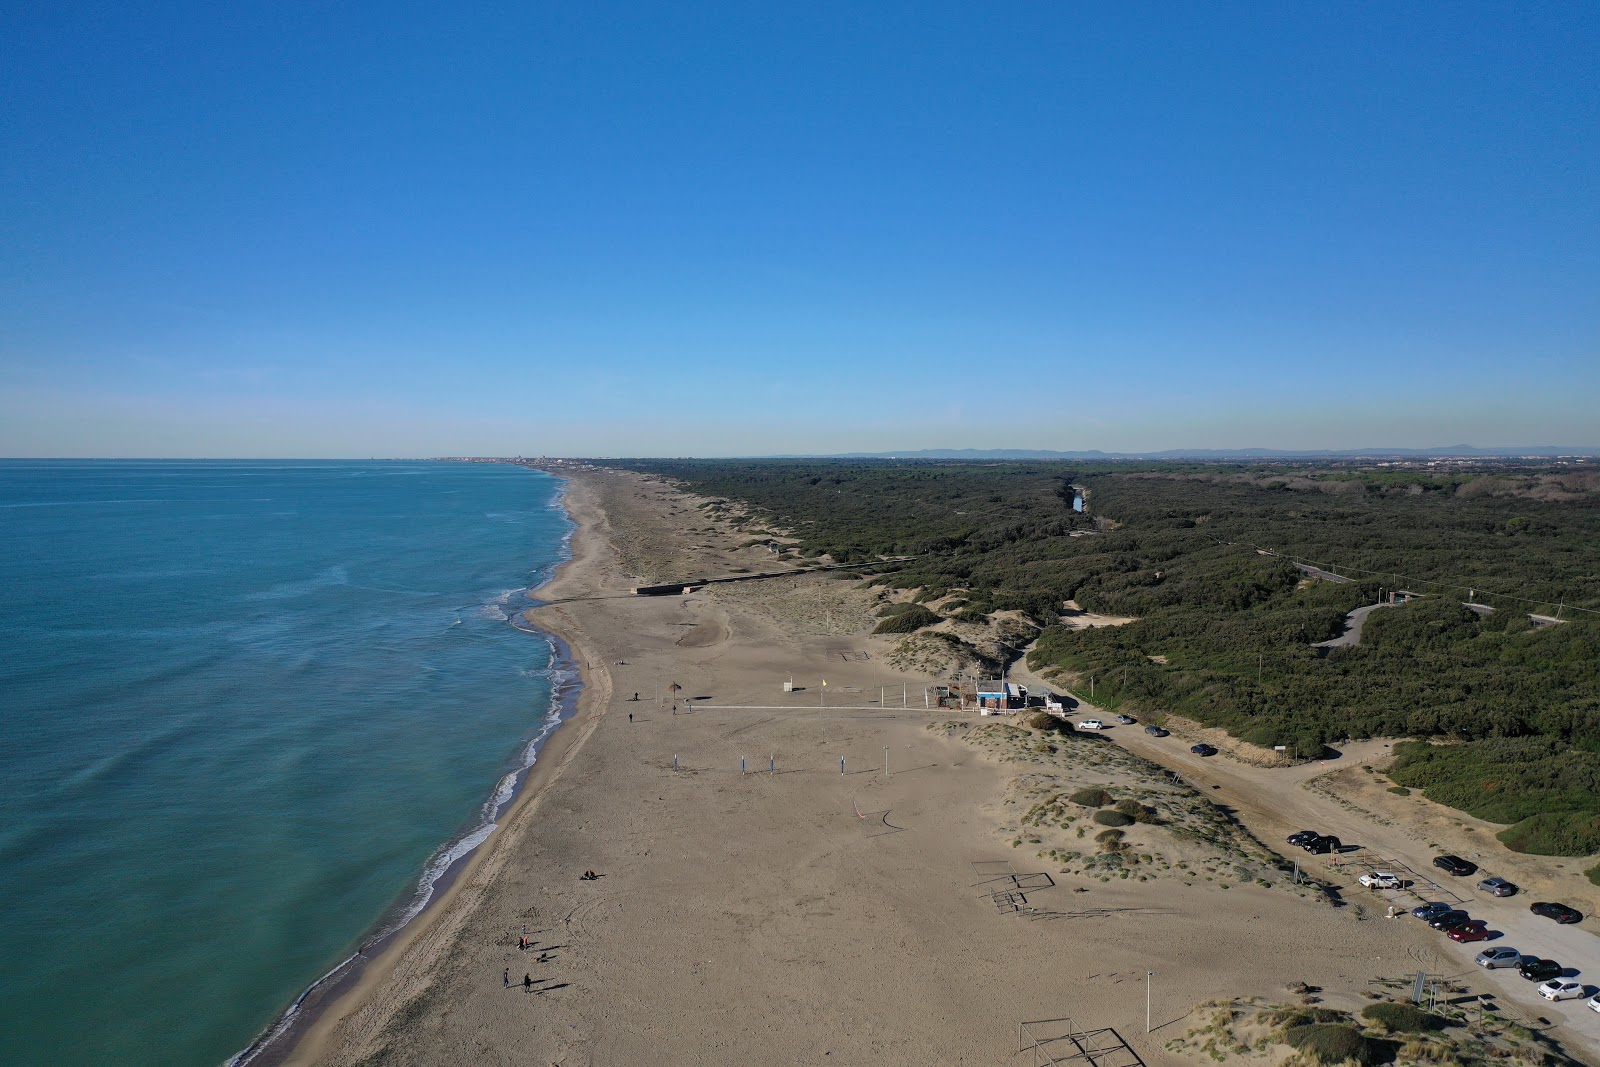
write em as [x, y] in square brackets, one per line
[300, 1029]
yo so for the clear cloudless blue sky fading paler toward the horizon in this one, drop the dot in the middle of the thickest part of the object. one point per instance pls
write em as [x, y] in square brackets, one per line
[404, 230]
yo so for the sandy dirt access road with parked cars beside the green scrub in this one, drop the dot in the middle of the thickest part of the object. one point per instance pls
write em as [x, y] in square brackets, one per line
[1278, 802]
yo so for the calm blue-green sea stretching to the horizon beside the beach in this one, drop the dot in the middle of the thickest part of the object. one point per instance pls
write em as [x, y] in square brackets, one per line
[242, 708]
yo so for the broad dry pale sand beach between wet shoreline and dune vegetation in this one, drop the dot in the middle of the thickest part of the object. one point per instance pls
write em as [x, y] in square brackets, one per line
[756, 917]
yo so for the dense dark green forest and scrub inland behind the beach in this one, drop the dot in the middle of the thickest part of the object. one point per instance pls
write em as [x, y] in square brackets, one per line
[1204, 556]
